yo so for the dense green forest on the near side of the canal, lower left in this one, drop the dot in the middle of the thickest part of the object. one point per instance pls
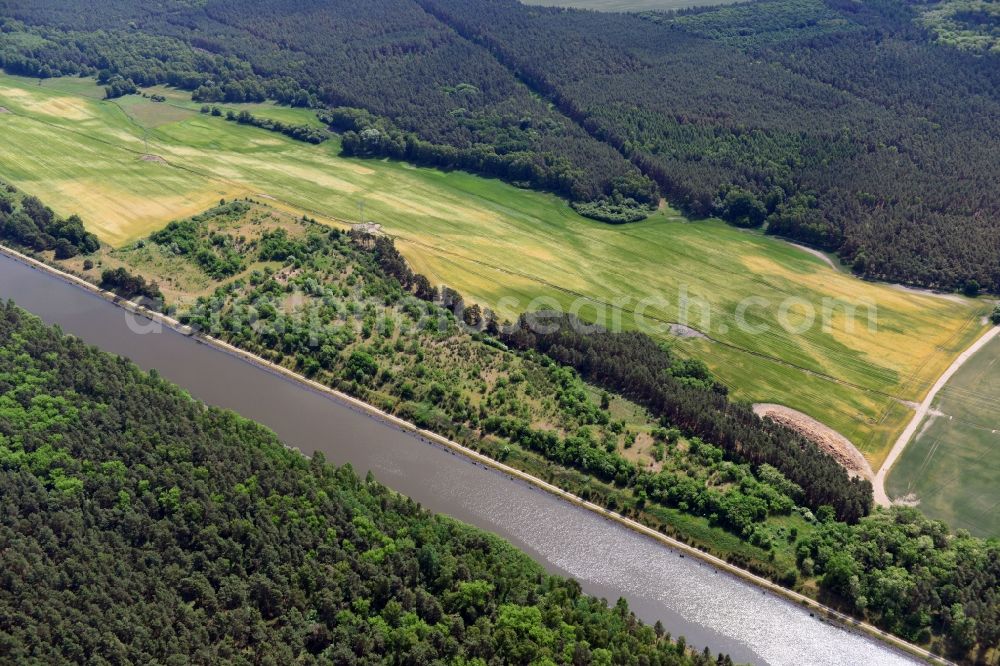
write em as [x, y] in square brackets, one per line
[139, 526]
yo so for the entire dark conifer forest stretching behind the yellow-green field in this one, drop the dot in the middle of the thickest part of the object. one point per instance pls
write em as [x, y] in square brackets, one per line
[847, 126]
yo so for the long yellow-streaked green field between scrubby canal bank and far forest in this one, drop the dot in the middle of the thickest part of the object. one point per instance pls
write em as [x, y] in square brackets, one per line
[504, 247]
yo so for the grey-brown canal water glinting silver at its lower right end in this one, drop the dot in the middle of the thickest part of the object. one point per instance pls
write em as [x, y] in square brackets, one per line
[692, 599]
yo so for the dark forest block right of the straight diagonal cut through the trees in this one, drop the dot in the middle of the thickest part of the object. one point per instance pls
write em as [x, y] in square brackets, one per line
[839, 124]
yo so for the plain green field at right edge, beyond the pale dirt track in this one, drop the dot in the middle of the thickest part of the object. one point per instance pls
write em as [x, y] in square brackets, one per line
[950, 466]
